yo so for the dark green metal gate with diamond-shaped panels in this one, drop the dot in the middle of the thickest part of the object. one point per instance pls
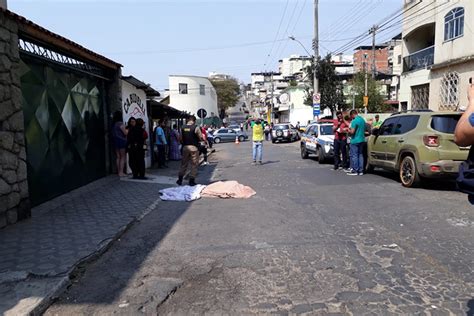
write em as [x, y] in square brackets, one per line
[64, 127]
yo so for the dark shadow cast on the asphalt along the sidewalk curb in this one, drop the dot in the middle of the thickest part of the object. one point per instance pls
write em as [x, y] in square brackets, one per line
[108, 279]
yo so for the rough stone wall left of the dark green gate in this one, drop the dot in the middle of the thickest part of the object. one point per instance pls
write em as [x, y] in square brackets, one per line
[14, 203]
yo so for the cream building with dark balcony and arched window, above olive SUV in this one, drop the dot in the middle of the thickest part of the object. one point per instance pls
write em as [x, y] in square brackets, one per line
[438, 50]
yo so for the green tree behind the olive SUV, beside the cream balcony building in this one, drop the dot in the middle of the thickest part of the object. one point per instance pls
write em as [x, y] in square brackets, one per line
[376, 99]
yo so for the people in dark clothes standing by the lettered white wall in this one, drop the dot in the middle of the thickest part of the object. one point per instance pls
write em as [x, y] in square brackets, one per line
[130, 138]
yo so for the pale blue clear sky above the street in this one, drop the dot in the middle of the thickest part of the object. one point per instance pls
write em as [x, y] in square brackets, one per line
[155, 38]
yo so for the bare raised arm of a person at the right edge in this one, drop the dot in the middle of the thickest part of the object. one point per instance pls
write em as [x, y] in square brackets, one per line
[464, 133]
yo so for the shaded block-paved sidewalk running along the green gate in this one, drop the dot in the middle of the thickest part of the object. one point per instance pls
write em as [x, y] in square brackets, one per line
[38, 255]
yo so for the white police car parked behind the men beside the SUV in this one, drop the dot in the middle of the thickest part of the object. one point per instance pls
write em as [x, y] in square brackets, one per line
[318, 139]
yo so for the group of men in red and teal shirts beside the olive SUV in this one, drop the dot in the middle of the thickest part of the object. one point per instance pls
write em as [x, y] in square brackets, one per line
[350, 141]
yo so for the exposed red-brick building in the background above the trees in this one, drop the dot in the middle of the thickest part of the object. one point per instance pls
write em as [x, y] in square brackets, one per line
[363, 59]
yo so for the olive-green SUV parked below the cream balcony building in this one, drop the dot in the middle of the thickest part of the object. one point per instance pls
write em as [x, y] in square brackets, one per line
[417, 145]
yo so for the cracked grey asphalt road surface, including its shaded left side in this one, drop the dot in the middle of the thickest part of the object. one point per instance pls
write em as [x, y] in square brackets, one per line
[311, 241]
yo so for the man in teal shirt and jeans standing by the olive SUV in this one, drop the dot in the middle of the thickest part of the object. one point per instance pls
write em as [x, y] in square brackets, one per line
[357, 130]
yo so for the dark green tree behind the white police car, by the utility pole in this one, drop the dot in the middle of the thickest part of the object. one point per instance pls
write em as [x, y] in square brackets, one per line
[330, 85]
